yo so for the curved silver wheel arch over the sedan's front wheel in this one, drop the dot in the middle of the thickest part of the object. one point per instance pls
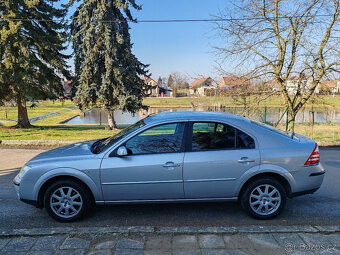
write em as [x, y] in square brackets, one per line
[67, 172]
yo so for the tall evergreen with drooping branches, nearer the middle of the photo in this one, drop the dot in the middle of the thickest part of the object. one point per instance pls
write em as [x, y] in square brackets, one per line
[107, 73]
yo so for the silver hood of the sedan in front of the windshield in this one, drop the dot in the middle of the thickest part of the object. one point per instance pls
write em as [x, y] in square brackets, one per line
[72, 150]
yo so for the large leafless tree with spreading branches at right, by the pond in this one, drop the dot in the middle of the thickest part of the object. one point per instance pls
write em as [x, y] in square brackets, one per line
[282, 40]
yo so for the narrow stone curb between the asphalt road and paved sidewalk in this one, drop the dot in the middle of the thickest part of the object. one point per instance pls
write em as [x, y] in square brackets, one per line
[171, 230]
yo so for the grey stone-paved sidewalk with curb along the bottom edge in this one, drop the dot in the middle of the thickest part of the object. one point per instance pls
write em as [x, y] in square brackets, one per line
[172, 240]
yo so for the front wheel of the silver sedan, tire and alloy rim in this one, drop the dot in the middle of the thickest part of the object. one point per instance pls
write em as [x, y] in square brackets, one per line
[67, 200]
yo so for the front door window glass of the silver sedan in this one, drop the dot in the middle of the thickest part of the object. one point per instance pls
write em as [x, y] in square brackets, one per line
[160, 139]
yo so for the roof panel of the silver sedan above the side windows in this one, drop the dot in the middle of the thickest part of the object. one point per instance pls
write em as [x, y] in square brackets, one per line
[194, 115]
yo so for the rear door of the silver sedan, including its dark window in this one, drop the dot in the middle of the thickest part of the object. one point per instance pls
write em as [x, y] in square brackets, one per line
[218, 154]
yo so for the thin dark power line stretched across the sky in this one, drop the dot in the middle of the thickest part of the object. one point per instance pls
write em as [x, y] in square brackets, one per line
[165, 20]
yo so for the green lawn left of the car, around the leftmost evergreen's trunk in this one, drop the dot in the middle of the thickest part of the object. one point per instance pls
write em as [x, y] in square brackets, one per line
[49, 128]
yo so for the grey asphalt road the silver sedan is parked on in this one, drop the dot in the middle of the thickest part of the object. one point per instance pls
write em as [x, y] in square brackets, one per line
[321, 208]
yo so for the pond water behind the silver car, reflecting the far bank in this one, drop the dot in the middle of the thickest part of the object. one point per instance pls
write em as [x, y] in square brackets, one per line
[321, 115]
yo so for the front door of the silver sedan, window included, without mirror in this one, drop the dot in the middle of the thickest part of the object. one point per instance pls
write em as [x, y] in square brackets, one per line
[152, 170]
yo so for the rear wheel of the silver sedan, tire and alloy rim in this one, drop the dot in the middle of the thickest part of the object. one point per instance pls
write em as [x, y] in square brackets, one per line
[267, 205]
